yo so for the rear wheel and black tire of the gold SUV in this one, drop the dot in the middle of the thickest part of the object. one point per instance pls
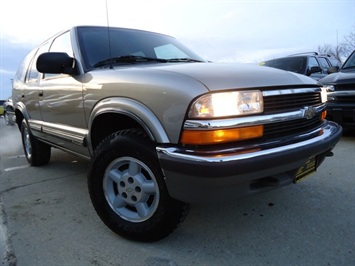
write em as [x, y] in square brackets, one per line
[37, 153]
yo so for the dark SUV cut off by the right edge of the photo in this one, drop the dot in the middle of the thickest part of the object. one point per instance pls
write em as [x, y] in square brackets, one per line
[341, 94]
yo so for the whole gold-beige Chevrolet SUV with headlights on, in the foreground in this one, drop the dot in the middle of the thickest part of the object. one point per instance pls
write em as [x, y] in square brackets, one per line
[163, 127]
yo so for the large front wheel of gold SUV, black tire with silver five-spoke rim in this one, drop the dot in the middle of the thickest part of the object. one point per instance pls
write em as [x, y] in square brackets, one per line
[128, 191]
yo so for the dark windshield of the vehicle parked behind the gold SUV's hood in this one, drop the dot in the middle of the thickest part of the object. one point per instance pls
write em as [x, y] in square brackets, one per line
[293, 64]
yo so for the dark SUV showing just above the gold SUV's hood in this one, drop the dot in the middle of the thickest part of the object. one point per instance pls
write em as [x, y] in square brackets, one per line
[311, 64]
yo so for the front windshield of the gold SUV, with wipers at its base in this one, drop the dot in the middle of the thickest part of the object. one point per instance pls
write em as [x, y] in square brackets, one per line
[130, 45]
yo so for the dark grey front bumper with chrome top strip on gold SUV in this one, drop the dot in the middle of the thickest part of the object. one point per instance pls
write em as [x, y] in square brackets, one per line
[222, 177]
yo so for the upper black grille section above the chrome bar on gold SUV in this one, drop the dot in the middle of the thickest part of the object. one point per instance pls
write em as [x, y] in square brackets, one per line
[290, 102]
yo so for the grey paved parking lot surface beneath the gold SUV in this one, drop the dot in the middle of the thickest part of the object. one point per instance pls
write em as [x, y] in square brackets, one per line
[47, 219]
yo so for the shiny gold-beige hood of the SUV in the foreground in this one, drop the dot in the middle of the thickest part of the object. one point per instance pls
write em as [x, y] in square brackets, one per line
[220, 76]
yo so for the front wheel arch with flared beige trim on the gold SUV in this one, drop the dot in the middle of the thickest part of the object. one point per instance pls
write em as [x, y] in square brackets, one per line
[114, 114]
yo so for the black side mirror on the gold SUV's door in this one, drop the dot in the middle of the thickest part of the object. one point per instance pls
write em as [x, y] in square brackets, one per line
[56, 63]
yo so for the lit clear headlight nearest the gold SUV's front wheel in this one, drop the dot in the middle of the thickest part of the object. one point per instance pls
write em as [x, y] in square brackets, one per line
[224, 104]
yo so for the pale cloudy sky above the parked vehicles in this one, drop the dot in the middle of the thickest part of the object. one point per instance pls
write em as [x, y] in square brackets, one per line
[222, 31]
